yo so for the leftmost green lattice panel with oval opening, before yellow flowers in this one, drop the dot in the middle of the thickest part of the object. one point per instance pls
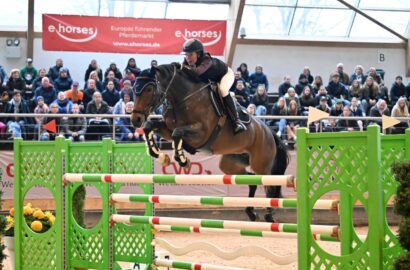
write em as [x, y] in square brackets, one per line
[37, 165]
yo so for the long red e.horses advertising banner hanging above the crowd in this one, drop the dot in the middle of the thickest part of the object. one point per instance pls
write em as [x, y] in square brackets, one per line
[129, 35]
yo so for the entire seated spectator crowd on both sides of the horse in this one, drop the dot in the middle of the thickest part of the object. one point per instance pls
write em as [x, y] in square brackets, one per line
[28, 90]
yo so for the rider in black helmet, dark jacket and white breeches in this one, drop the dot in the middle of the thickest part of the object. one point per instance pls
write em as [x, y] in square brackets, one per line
[212, 69]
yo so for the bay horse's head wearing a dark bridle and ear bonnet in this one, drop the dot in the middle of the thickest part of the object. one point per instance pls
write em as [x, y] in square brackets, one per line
[146, 96]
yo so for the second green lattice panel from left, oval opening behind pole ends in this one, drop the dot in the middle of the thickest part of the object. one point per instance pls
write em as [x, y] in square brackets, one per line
[88, 247]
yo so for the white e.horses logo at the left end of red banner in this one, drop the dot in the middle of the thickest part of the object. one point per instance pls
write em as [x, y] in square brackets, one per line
[64, 30]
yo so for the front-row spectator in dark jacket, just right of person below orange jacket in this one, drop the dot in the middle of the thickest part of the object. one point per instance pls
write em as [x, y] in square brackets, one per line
[98, 126]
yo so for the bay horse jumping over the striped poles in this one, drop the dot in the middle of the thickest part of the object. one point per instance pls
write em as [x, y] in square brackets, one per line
[191, 122]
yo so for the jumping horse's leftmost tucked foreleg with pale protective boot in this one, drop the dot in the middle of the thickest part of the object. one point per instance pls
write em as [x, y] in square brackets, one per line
[152, 147]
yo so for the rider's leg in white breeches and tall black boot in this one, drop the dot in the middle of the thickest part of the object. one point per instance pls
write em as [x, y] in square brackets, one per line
[224, 86]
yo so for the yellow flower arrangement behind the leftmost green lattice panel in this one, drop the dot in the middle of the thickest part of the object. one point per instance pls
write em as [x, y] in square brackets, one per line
[36, 219]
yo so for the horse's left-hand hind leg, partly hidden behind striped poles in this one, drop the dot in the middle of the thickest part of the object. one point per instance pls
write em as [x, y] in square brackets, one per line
[236, 164]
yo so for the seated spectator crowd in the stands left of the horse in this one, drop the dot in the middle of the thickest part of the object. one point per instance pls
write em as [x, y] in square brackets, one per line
[29, 90]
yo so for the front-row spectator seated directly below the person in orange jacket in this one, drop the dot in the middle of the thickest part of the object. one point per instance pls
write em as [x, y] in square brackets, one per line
[75, 127]
